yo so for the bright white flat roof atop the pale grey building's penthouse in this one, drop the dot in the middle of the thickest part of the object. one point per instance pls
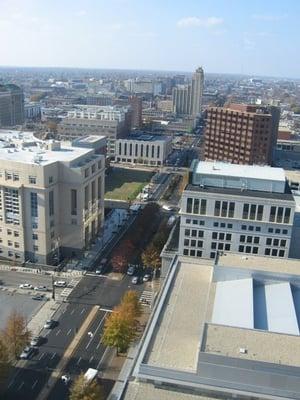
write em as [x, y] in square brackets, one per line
[245, 171]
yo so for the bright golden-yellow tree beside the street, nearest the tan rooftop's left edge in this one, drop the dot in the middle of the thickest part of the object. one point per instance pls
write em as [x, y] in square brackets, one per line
[119, 330]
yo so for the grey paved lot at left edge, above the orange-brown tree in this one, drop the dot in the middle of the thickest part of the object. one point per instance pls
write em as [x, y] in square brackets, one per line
[21, 303]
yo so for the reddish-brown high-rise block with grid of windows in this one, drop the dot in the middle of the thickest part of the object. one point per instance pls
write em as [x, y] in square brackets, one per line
[241, 134]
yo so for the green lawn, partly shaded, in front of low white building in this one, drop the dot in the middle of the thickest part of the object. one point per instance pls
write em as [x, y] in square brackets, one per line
[125, 184]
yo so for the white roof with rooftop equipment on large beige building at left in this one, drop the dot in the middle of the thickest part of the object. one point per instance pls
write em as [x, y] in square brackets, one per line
[24, 147]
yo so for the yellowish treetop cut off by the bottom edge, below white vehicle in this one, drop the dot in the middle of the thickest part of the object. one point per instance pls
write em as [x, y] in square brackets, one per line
[83, 390]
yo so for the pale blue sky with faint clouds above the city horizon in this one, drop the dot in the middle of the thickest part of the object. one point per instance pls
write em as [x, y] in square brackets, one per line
[257, 37]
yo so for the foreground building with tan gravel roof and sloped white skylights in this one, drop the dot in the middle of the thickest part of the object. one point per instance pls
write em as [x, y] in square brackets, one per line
[224, 330]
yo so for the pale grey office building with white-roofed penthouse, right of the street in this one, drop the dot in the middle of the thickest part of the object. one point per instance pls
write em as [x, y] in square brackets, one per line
[240, 209]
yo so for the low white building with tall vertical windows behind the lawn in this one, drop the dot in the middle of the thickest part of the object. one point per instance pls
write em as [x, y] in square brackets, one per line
[143, 149]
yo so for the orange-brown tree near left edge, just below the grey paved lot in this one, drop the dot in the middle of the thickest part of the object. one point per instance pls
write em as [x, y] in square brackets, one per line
[16, 334]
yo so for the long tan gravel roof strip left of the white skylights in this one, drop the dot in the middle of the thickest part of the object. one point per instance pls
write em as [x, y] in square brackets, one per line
[183, 320]
